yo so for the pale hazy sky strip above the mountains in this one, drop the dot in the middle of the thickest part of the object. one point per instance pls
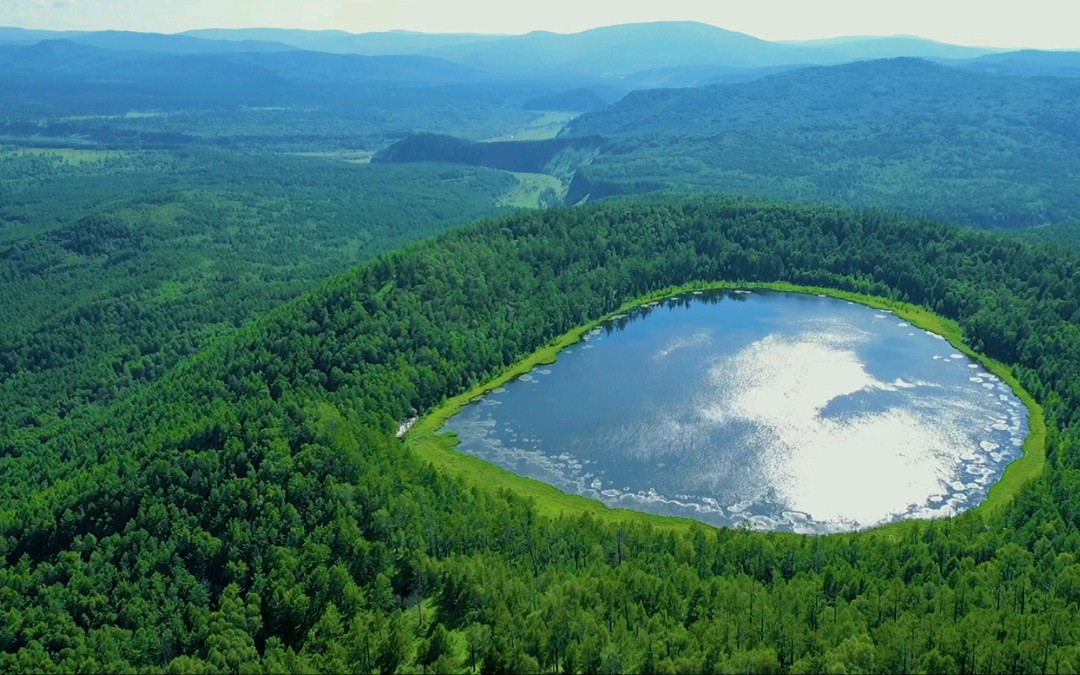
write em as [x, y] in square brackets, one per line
[1044, 24]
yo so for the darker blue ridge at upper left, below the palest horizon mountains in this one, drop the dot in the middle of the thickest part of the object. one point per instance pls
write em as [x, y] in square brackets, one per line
[64, 73]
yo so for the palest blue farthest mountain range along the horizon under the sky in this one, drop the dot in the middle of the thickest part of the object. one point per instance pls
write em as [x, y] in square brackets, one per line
[655, 55]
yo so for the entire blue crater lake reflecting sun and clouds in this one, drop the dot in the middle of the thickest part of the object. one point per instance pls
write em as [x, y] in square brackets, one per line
[772, 411]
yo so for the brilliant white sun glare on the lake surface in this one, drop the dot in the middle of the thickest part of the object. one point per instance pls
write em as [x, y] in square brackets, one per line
[784, 387]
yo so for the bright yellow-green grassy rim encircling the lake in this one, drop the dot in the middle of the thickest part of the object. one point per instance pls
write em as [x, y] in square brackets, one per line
[440, 449]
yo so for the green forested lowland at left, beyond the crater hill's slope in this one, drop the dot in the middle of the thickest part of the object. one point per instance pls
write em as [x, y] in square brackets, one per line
[118, 265]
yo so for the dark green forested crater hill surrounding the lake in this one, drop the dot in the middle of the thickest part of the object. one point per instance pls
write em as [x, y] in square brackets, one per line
[253, 512]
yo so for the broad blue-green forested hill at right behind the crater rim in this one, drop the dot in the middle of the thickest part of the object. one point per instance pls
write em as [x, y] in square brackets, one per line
[906, 136]
